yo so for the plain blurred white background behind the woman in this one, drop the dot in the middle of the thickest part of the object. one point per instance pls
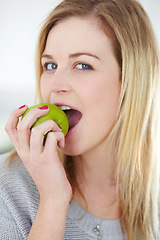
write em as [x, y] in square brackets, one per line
[20, 22]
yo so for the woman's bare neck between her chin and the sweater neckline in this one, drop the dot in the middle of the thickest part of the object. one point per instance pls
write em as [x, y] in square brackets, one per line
[95, 176]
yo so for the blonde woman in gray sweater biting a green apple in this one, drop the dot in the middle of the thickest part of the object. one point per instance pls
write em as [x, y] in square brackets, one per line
[99, 59]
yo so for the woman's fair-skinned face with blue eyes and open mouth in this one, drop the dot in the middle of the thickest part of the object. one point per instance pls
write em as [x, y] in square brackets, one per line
[80, 71]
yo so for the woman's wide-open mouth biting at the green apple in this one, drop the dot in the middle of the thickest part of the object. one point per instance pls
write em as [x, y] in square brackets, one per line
[73, 116]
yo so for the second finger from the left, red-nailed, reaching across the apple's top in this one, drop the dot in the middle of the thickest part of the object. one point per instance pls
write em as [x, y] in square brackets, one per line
[24, 127]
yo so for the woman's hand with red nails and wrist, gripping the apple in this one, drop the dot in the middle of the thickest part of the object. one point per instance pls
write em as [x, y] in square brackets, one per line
[41, 161]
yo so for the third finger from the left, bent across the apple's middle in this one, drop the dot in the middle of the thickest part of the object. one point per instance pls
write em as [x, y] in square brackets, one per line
[39, 132]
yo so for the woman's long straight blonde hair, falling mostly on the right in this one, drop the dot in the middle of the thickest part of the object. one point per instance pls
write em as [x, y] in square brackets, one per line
[135, 134]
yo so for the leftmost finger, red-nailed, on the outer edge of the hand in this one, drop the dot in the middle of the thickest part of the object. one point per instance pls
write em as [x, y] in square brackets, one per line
[11, 126]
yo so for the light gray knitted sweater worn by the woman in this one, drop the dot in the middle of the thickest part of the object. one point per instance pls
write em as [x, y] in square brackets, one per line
[19, 203]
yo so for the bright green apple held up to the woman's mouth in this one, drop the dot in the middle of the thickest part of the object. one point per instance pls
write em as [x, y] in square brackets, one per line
[55, 114]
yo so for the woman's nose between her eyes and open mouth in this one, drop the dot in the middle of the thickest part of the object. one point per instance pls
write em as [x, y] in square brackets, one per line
[61, 82]
